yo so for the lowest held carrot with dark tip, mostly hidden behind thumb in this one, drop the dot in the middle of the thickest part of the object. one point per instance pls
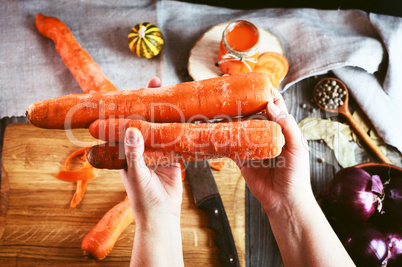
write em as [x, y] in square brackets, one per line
[111, 156]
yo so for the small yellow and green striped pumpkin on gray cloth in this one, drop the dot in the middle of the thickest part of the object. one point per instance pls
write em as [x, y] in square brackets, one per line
[145, 40]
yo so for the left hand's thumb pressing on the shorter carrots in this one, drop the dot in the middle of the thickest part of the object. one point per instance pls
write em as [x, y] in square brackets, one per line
[134, 149]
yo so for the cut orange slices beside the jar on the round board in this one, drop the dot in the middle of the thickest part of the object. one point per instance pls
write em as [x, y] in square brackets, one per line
[273, 64]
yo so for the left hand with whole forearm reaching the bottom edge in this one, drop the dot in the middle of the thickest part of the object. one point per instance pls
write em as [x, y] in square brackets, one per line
[155, 194]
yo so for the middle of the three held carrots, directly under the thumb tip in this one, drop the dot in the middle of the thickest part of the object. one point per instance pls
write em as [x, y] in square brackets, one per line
[245, 139]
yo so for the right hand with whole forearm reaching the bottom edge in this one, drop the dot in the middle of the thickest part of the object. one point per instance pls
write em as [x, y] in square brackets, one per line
[282, 185]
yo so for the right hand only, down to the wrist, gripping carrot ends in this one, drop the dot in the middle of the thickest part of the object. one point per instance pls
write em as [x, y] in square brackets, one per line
[287, 177]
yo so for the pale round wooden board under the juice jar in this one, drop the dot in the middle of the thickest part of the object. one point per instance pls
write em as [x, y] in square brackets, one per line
[203, 56]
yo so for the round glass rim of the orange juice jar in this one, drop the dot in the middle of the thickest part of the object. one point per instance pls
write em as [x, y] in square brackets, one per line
[233, 51]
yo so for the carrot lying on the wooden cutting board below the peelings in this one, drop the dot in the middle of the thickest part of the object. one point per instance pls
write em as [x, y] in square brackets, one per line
[101, 239]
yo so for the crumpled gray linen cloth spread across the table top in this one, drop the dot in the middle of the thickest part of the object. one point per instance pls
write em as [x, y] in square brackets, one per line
[363, 50]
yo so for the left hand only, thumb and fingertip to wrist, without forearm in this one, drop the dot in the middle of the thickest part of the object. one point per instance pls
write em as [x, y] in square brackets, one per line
[155, 192]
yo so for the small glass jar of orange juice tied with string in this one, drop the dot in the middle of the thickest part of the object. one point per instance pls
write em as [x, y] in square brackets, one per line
[239, 47]
